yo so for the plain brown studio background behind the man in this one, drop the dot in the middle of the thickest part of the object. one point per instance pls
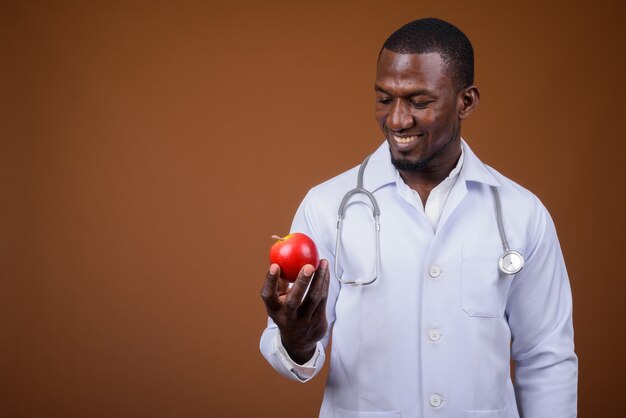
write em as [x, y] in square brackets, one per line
[149, 150]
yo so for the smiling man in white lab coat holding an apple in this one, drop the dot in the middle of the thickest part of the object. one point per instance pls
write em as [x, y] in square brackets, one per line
[434, 334]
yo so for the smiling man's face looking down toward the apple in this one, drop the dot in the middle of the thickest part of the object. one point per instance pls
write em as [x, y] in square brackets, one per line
[417, 108]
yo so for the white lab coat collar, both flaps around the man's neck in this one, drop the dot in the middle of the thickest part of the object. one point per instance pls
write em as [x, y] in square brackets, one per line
[380, 171]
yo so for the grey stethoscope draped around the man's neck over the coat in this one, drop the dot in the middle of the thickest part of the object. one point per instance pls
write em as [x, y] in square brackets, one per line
[510, 262]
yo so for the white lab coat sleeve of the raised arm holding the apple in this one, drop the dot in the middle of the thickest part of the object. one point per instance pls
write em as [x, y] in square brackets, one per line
[305, 221]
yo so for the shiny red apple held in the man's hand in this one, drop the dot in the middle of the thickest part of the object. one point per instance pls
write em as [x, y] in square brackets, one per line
[292, 252]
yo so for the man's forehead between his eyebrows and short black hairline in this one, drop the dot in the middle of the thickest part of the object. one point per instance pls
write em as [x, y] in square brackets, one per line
[411, 71]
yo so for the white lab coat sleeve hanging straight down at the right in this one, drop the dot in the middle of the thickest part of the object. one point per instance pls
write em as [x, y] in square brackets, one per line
[539, 312]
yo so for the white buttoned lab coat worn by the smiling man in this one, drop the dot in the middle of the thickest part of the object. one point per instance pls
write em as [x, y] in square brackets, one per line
[434, 335]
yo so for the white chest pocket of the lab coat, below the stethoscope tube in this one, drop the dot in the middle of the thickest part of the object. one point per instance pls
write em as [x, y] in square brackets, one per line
[484, 288]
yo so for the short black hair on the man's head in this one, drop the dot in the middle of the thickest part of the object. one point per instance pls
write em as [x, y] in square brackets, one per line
[422, 36]
